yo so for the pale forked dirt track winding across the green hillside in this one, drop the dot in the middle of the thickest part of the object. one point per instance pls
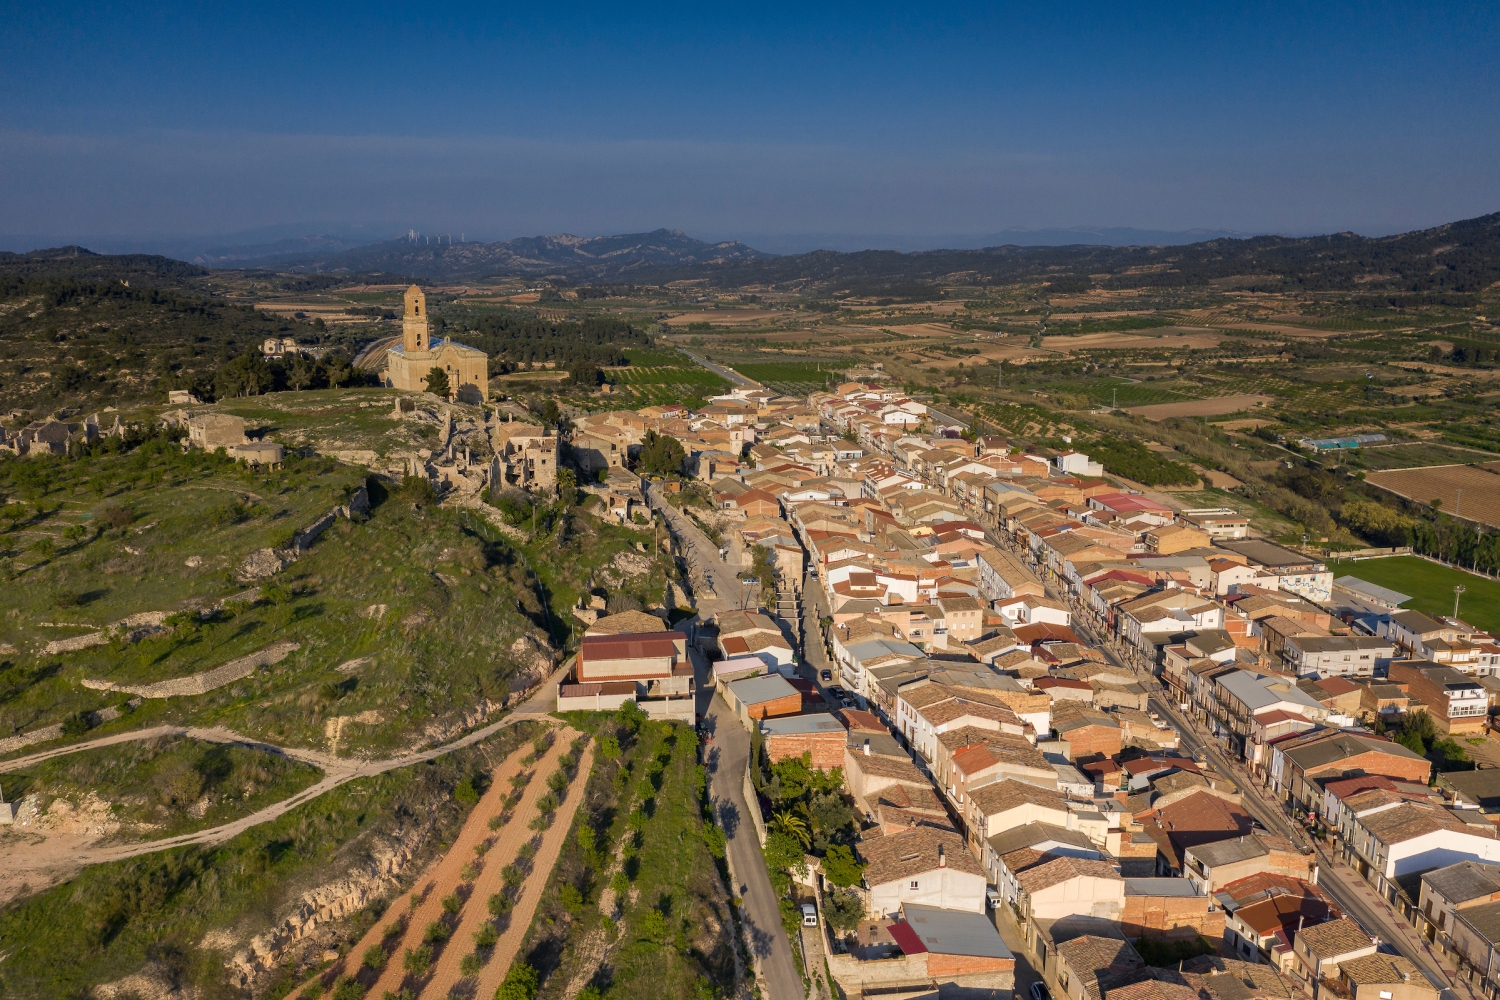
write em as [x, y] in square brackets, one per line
[20, 863]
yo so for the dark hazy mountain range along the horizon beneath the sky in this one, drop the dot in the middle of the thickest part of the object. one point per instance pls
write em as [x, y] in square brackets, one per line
[1459, 257]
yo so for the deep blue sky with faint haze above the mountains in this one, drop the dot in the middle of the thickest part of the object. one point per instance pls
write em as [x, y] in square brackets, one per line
[169, 121]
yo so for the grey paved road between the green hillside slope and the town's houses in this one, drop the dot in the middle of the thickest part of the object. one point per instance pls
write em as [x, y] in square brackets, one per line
[727, 756]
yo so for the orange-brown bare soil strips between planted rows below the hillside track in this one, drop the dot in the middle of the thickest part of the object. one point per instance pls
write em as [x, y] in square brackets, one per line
[445, 879]
